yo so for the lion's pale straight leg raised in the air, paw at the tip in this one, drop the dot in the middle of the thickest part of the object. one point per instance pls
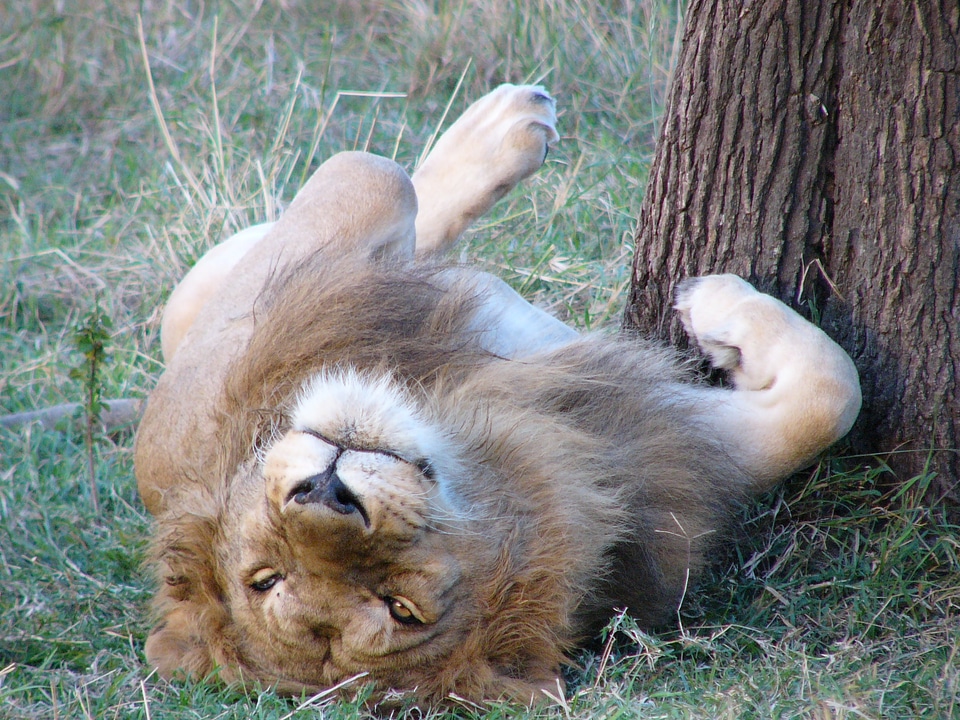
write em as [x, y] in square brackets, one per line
[501, 139]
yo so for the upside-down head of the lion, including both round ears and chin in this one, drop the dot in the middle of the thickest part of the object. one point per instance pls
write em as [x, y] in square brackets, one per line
[352, 545]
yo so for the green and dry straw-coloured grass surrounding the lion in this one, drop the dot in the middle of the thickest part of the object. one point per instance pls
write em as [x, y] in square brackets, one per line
[841, 601]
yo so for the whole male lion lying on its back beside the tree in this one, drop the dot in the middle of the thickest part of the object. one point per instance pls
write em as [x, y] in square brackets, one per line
[364, 461]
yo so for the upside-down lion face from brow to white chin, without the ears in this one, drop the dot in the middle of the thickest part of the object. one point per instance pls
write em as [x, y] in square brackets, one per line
[342, 560]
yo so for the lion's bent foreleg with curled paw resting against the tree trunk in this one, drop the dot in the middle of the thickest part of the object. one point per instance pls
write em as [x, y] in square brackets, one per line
[796, 392]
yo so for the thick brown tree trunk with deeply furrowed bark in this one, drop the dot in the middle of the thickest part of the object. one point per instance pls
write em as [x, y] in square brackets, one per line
[814, 148]
